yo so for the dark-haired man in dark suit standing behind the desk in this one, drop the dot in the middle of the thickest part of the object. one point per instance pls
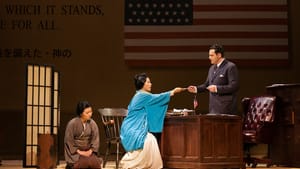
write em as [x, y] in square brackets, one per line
[222, 83]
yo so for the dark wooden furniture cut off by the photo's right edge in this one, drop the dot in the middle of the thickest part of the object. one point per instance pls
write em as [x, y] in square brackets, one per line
[285, 148]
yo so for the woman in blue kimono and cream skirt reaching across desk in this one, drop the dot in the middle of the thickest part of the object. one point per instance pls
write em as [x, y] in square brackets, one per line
[146, 113]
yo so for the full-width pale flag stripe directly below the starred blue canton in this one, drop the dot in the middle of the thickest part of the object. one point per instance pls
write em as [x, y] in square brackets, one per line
[208, 28]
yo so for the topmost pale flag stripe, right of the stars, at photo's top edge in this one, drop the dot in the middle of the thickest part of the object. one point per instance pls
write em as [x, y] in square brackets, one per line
[240, 2]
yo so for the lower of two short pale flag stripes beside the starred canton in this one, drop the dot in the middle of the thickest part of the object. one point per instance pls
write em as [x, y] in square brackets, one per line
[239, 15]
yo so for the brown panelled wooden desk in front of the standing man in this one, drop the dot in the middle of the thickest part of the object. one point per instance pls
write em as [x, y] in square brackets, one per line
[202, 142]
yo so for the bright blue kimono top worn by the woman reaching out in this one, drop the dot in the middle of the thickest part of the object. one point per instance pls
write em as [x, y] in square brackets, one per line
[146, 113]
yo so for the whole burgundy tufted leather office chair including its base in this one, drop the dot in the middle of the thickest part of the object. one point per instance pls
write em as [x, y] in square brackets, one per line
[259, 115]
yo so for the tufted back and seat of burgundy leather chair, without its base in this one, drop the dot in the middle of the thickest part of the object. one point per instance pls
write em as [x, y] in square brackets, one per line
[258, 118]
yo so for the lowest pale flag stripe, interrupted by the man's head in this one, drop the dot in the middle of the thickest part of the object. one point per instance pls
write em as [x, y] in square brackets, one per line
[204, 55]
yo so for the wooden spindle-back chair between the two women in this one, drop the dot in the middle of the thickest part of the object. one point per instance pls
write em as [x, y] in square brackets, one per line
[112, 119]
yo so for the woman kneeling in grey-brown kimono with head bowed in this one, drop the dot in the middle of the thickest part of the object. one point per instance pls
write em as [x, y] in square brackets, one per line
[81, 142]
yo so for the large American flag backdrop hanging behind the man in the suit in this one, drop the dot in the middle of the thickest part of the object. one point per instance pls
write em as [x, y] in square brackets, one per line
[179, 32]
